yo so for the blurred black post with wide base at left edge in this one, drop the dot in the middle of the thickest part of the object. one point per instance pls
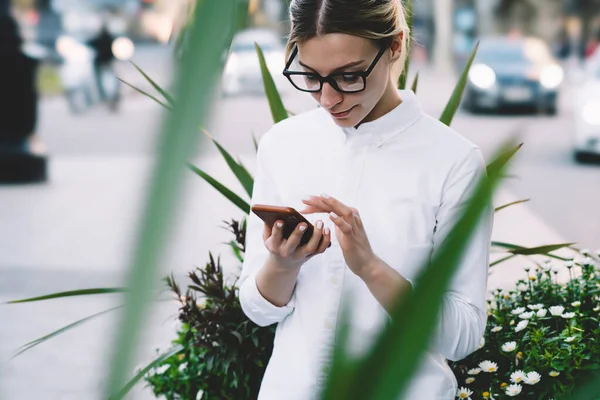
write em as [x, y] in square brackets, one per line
[18, 106]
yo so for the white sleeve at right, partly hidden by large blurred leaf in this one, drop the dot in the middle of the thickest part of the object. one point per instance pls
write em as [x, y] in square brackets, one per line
[463, 317]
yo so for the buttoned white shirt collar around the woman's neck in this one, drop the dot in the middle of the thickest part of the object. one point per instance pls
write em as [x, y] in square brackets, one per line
[389, 125]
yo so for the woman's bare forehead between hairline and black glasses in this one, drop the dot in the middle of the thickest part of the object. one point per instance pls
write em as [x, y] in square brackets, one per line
[328, 52]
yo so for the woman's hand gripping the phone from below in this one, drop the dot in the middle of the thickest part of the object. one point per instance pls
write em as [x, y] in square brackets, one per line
[288, 253]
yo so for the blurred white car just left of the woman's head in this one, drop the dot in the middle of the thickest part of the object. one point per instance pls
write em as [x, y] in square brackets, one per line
[242, 73]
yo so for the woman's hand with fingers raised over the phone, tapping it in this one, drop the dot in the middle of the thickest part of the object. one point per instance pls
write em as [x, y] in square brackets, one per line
[349, 230]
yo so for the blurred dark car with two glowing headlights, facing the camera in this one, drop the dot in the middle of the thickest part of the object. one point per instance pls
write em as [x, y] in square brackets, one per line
[511, 72]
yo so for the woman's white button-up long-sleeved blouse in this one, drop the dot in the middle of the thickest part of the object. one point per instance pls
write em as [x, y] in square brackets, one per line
[409, 176]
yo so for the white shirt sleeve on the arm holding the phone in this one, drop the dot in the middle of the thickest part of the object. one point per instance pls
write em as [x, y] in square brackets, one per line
[254, 305]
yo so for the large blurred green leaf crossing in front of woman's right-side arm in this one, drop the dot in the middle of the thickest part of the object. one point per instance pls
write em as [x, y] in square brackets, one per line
[386, 371]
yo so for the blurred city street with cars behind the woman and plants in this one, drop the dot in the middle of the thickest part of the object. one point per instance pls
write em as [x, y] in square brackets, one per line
[77, 146]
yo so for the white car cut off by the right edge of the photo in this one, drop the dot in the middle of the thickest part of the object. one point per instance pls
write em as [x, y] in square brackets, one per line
[587, 113]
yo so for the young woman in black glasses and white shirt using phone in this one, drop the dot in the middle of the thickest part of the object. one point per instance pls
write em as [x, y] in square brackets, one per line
[379, 179]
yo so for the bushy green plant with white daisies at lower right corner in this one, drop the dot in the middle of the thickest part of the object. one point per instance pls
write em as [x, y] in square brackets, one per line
[542, 336]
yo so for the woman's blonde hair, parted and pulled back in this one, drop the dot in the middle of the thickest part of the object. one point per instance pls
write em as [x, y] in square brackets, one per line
[377, 20]
